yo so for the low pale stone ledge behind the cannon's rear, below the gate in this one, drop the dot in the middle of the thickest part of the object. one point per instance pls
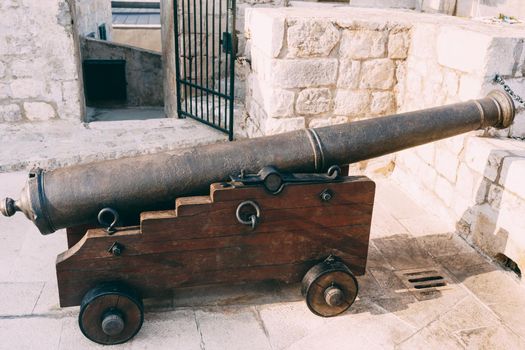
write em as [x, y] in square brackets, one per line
[58, 143]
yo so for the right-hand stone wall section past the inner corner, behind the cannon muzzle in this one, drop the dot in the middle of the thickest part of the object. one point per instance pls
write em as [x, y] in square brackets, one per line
[468, 179]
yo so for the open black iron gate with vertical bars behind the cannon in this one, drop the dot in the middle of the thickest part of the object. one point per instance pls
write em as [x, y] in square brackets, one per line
[205, 47]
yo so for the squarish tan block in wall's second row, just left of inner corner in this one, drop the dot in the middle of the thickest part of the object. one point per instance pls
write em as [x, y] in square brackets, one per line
[377, 74]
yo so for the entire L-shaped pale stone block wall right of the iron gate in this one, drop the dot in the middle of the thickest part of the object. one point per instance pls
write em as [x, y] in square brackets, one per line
[314, 67]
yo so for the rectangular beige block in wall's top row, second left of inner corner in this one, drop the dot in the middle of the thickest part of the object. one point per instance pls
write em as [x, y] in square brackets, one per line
[362, 44]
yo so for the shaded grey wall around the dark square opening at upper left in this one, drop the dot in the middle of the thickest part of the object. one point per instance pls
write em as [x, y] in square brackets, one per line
[144, 74]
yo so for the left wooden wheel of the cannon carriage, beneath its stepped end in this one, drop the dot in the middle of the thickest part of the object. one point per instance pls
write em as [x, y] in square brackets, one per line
[110, 313]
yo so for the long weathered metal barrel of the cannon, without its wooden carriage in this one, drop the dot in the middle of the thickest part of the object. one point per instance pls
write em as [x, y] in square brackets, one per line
[74, 195]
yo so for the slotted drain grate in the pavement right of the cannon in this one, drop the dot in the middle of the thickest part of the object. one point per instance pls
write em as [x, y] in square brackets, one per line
[424, 282]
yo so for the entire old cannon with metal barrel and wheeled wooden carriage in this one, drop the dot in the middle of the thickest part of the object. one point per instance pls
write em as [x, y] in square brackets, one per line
[270, 208]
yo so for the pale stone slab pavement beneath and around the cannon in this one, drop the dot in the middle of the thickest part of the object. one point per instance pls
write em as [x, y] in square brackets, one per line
[480, 307]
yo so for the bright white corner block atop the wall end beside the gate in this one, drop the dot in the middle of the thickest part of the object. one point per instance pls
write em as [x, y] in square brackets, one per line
[266, 31]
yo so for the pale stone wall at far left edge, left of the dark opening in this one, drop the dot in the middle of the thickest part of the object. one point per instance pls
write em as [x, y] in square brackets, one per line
[35, 82]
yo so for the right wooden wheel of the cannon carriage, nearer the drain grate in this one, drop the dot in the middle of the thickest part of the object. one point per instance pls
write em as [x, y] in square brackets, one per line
[329, 288]
